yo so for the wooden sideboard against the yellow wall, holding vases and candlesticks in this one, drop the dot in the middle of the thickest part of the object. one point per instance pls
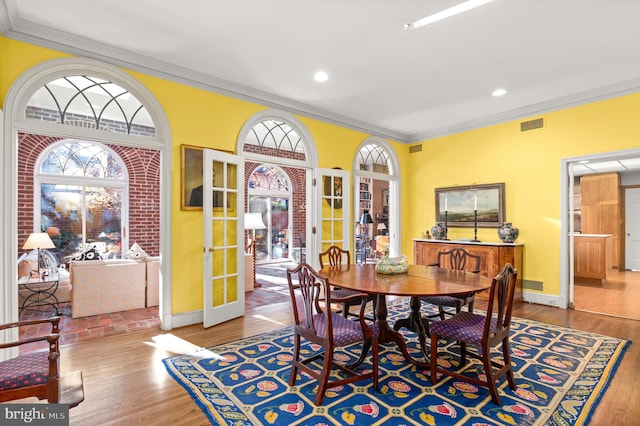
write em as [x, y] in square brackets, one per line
[493, 256]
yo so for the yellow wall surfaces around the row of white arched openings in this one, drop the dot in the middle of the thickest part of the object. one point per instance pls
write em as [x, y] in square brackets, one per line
[201, 118]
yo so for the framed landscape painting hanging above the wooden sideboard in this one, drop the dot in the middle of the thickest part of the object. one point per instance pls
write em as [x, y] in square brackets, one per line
[459, 203]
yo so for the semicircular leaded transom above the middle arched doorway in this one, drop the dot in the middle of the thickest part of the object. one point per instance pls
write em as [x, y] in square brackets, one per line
[276, 139]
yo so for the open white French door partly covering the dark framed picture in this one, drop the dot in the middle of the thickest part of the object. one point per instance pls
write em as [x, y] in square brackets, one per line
[223, 207]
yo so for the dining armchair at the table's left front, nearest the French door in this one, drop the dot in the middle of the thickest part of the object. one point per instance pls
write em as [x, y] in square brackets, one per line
[309, 294]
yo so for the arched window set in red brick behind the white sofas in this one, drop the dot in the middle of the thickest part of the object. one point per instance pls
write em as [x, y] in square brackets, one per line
[82, 189]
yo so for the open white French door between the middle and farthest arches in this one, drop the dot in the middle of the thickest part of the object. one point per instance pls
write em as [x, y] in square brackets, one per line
[333, 212]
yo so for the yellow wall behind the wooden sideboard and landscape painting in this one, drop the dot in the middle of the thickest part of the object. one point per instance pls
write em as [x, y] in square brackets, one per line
[529, 165]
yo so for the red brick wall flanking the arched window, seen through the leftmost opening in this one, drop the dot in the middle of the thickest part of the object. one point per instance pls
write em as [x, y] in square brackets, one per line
[143, 166]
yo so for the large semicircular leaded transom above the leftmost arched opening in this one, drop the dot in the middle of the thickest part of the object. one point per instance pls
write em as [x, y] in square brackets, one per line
[90, 102]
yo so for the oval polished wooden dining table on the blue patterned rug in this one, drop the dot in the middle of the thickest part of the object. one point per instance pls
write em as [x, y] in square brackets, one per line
[420, 280]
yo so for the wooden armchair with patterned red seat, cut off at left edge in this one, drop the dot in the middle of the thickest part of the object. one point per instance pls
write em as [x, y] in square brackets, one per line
[36, 373]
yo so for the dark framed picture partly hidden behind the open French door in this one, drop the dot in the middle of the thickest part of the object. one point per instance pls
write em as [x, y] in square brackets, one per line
[191, 178]
